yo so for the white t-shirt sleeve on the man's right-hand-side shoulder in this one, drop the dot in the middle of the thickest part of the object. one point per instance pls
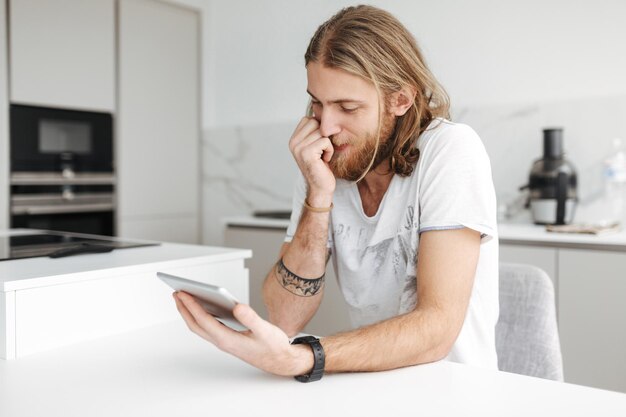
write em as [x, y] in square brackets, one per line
[456, 188]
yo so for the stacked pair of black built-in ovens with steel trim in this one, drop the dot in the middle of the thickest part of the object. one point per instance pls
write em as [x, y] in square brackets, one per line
[62, 175]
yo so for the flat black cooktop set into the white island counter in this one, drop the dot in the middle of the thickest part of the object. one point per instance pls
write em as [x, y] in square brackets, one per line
[59, 244]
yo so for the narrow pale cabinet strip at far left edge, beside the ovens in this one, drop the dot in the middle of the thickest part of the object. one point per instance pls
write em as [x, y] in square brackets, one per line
[4, 123]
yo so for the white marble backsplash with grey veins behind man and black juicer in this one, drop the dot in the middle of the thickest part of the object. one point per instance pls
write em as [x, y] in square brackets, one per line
[247, 168]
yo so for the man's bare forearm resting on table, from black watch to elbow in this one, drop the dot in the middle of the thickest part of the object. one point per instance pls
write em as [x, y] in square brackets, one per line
[410, 339]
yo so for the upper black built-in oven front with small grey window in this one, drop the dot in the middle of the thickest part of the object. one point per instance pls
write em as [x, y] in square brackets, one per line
[53, 140]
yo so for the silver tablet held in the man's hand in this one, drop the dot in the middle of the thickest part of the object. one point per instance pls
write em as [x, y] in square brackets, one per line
[215, 300]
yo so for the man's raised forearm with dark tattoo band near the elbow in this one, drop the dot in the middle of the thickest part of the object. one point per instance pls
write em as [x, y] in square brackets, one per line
[293, 288]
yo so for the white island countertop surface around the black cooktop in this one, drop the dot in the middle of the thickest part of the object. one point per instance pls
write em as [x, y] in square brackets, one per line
[36, 272]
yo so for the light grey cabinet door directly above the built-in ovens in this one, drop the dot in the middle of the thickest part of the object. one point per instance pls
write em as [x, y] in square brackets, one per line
[63, 53]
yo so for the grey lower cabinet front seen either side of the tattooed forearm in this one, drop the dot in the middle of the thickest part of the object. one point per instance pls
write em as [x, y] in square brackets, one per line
[332, 315]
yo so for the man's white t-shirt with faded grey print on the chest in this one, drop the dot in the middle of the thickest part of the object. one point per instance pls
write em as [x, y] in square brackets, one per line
[375, 258]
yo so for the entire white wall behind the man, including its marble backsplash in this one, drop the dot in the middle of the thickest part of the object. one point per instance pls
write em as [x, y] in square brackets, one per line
[511, 68]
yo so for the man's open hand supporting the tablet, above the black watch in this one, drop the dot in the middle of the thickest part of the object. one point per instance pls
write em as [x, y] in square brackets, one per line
[264, 345]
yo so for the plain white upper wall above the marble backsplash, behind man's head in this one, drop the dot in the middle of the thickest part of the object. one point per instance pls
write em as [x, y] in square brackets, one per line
[484, 52]
